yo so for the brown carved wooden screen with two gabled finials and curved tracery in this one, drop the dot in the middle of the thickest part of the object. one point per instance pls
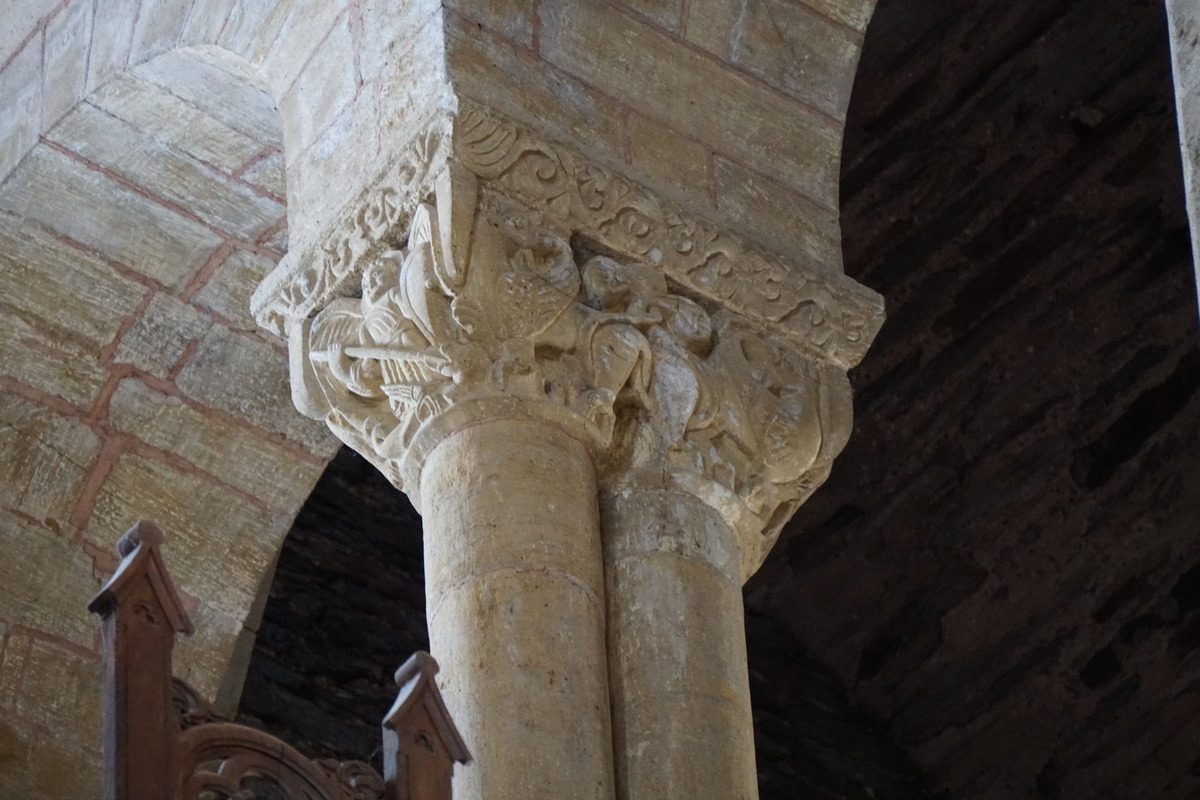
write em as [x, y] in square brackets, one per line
[163, 742]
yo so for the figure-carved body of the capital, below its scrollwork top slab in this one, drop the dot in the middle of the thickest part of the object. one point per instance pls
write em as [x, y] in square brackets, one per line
[503, 306]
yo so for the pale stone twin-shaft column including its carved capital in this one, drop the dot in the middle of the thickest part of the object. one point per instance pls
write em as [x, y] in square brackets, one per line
[511, 334]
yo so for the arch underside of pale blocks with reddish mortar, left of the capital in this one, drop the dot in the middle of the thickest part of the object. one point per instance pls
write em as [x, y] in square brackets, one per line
[134, 386]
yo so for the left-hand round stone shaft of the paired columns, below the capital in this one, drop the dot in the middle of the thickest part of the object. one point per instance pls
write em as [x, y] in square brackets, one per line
[515, 598]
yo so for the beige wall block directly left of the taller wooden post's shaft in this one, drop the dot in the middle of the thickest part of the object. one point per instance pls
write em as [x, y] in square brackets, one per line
[61, 694]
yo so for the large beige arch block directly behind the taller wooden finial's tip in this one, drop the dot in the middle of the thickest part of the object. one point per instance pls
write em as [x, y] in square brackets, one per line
[218, 545]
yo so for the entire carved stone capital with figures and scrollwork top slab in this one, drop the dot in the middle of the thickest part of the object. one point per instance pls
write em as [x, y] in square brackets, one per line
[495, 275]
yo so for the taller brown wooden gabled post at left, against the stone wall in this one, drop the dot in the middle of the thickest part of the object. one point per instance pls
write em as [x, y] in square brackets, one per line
[141, 617]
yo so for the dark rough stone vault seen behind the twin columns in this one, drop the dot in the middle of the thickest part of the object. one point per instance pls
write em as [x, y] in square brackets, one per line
[998, 591]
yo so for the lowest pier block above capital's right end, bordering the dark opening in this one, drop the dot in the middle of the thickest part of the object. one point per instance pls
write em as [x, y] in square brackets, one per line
[778, 218]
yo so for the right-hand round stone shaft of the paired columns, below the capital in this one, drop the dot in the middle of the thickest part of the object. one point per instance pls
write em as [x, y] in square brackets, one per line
[681, 689]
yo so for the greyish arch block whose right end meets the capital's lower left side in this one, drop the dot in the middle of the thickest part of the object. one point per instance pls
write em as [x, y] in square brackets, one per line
[250, 380]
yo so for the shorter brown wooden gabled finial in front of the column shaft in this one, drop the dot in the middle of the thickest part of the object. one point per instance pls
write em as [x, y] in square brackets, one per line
[422, 743]
